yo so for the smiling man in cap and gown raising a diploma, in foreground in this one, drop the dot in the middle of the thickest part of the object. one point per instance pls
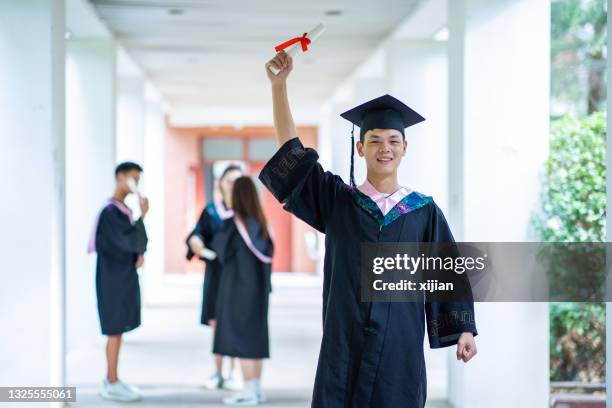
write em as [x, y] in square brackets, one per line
[371, 352]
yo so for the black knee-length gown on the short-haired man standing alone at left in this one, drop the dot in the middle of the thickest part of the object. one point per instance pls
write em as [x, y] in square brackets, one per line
[118, 244]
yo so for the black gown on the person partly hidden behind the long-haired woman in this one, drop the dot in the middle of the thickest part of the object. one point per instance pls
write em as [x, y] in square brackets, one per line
[206, 227]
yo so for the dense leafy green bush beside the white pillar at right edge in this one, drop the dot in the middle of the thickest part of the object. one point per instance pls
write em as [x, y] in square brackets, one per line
[573, 209]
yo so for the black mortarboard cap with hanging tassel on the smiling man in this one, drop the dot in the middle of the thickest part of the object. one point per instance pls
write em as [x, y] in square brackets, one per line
[384, 112]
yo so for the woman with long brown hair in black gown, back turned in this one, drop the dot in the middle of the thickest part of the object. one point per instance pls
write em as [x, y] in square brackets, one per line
[244, 247]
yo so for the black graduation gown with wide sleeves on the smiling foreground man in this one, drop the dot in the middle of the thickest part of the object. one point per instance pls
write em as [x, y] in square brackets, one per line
[371, 353]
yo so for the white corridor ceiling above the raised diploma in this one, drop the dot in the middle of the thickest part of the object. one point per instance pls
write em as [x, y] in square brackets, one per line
[213, 52]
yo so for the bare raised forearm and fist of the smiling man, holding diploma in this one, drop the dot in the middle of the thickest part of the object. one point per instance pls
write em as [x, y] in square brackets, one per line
[283, 120]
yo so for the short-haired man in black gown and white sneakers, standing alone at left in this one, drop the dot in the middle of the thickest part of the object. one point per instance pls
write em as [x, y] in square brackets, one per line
[120, 242]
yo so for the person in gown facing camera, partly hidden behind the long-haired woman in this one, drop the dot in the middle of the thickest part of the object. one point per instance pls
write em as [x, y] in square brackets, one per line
[209, 222]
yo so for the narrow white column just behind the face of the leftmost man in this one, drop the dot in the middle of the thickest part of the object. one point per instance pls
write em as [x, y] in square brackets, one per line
[153, 181]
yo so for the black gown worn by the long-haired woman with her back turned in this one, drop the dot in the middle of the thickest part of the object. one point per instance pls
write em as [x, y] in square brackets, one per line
[242, 305]
